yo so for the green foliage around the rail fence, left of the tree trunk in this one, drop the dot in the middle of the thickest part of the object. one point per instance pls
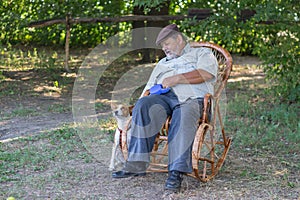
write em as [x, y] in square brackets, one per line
[16, 16]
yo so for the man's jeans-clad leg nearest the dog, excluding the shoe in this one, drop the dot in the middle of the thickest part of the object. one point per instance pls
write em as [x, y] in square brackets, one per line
[149, 114]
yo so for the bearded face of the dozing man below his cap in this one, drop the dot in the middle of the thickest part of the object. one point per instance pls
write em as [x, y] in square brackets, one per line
[171, 47]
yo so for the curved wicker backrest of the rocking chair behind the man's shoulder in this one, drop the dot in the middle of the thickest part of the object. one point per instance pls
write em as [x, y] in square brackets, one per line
[225, 64]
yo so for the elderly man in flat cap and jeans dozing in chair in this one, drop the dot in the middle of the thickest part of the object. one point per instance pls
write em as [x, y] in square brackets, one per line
[186, 74]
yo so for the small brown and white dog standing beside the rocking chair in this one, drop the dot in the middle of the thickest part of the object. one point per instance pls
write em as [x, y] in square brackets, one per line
[122, 115]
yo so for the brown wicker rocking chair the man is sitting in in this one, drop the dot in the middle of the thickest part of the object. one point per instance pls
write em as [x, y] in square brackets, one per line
[211, 144]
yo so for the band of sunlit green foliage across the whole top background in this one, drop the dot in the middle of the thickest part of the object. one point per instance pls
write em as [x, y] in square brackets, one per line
[276, 43]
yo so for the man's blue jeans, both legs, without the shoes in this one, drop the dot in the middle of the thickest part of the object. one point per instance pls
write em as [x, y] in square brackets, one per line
[148, 116]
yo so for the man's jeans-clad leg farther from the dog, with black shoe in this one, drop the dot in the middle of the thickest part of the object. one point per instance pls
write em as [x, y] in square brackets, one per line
[185, 119]
